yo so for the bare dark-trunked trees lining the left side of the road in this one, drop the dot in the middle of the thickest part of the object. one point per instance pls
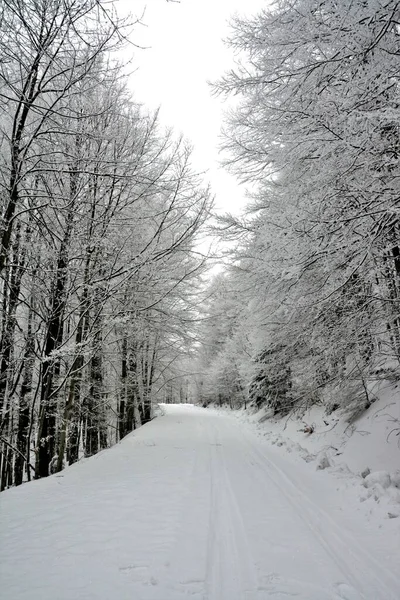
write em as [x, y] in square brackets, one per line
[99, 215]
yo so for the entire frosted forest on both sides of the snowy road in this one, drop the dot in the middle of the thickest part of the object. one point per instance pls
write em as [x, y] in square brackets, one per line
[107, 303]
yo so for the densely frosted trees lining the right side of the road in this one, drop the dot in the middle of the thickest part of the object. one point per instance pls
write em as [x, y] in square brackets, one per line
[312, 294]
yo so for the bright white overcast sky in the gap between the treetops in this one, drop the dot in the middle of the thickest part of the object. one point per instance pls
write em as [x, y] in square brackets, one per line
[184, 51]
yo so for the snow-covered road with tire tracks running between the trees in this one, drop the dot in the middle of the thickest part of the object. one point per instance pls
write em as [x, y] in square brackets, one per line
[191, 506]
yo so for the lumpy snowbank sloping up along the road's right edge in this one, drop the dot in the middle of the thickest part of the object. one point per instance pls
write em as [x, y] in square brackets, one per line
[364, 455]
